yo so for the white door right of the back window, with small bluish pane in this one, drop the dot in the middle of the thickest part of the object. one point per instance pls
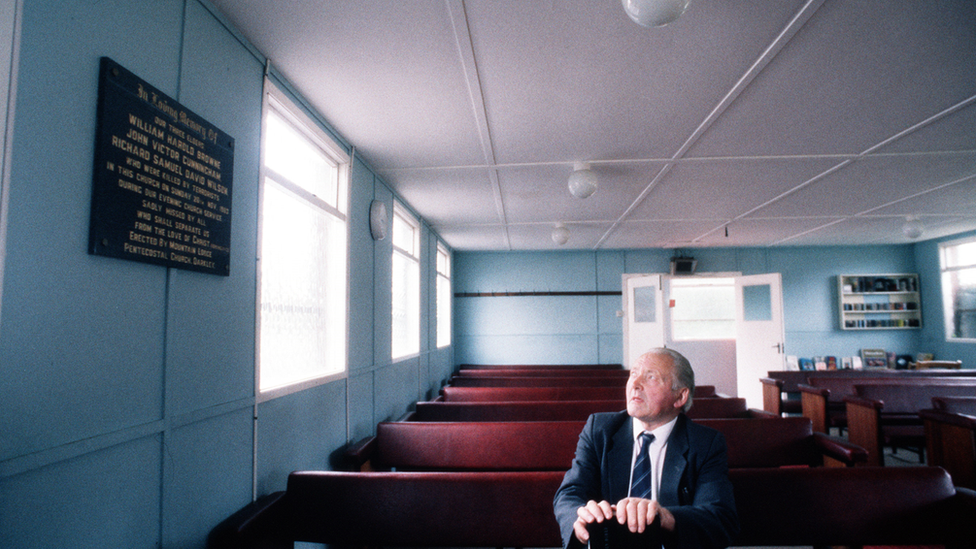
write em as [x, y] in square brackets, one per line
[760, 335]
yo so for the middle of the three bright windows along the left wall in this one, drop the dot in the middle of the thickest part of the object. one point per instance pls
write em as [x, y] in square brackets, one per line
[406, 283]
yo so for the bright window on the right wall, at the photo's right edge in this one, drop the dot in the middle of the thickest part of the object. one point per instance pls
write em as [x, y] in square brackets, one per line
[958, 264]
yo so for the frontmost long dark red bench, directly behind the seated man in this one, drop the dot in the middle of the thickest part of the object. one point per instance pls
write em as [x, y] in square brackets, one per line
[776, 507]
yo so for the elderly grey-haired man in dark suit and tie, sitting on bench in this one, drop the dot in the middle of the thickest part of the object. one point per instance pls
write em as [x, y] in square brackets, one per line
[687, 489]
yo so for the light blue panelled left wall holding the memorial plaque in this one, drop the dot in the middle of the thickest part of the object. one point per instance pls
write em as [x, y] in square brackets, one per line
[126, 389]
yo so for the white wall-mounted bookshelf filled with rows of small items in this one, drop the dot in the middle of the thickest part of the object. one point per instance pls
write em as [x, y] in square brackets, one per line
[879, 302]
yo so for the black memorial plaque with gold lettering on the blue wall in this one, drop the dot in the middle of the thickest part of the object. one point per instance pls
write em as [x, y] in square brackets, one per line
[162, 181]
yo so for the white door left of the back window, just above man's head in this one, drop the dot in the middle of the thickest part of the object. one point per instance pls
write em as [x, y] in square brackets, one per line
[643, 316]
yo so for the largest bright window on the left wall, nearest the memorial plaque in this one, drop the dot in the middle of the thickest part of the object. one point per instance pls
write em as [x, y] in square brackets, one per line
[303, 248]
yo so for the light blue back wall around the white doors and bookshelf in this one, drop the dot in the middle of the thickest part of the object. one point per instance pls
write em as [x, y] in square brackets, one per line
[564, 329]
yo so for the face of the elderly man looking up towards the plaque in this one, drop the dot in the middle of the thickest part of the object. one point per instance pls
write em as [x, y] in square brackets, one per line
[649, 394]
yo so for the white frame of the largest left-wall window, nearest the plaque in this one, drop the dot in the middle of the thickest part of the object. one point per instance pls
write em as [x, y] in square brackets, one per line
[284, 106]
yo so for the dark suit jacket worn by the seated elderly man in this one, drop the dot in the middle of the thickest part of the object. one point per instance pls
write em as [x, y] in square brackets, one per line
[695, 484]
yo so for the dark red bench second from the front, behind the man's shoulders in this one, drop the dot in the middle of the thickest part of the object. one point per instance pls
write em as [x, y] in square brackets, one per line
[551, 446]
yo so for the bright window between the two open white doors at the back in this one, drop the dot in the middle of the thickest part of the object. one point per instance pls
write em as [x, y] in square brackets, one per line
[704, 308]
